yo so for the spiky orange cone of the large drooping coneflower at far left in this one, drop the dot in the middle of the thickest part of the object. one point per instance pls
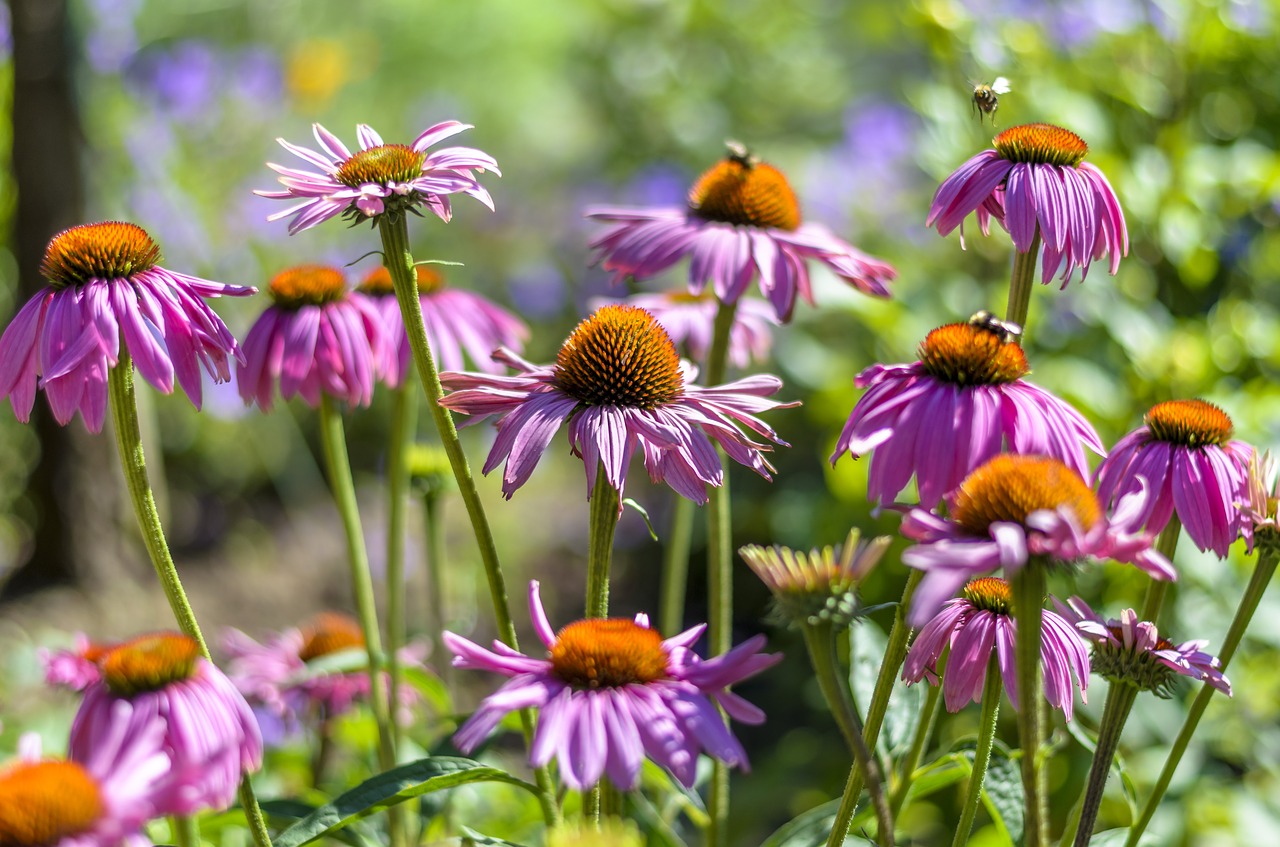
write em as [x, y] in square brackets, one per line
[112, 250]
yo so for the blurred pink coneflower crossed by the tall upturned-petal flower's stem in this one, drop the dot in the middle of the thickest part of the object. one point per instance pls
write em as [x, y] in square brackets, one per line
[458, 322]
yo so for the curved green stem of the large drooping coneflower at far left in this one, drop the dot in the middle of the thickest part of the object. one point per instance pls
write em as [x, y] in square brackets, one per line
[129, 439]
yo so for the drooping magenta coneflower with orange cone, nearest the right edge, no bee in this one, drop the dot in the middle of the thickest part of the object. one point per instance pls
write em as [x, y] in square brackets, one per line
[1186, 454]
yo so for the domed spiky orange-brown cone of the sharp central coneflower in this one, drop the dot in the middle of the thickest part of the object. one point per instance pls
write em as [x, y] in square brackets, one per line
[620, 356]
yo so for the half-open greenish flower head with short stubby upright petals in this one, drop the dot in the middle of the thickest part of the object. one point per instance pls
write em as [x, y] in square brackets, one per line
[820, 587]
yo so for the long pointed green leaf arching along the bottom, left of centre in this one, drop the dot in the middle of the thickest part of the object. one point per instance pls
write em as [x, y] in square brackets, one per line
[394, 788]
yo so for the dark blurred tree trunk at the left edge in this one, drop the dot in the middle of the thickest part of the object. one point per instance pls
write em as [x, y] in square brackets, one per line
[74, 479]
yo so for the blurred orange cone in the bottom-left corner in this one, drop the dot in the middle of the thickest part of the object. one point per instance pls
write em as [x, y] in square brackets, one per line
[42, 803]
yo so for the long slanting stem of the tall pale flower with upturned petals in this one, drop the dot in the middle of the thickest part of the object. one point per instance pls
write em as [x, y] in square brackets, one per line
[400, 263]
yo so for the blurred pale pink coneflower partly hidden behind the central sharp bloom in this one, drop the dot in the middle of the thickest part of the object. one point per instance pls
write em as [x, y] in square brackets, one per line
[691, 321]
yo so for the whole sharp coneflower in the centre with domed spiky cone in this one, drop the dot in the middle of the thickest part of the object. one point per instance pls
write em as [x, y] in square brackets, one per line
[621, 387]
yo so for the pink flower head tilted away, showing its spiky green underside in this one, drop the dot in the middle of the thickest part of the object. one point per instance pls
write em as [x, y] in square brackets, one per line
[1132, 652]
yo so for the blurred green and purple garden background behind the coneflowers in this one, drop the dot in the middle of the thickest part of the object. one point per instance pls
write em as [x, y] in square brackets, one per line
[164, 115]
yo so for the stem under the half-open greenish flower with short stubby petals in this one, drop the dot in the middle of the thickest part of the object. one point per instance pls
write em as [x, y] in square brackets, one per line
[821, 642]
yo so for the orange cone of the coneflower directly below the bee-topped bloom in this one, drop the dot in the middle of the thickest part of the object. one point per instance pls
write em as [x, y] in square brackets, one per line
[1009, 488]
